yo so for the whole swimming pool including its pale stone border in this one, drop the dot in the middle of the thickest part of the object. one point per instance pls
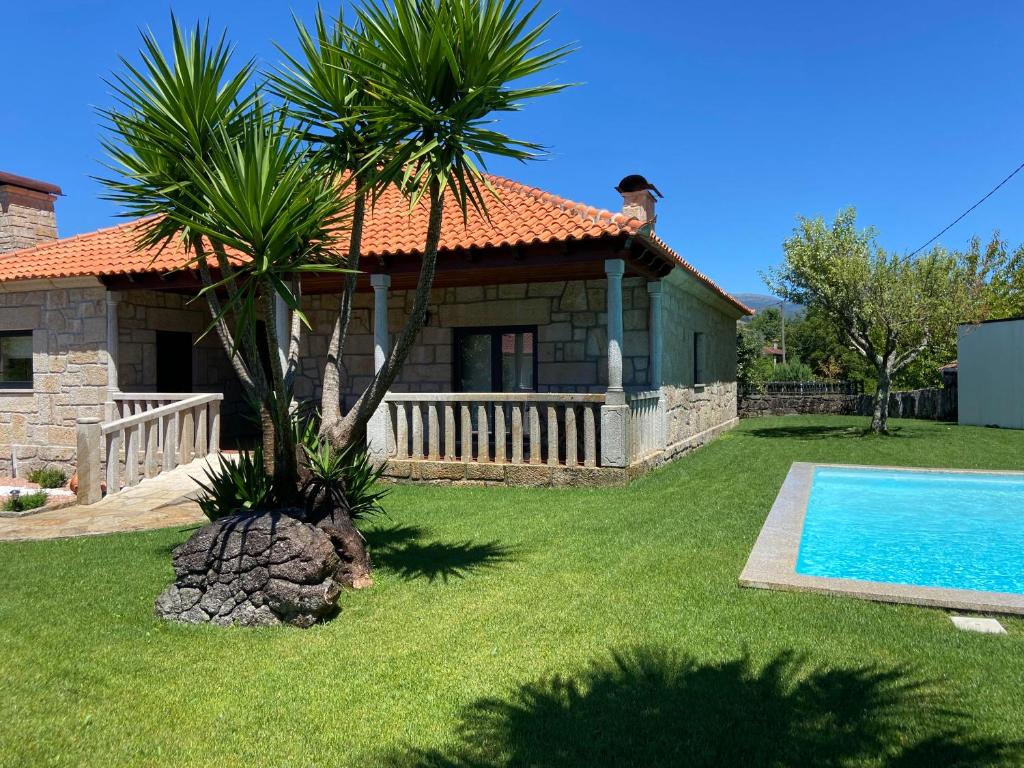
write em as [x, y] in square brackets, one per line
[943, 538]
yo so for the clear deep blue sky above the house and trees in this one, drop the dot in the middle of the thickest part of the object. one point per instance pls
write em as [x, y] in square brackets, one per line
[745, 114]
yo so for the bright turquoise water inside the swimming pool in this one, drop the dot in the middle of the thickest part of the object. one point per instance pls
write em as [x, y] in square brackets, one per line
[947, 530]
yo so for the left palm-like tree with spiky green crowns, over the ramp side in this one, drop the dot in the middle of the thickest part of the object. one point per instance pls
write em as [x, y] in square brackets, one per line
[198, 153]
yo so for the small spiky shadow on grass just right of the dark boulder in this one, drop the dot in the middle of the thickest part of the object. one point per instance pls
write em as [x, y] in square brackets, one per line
[403, 550]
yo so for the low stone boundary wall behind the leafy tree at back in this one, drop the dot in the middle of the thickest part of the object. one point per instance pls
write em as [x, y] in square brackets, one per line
[934, 404]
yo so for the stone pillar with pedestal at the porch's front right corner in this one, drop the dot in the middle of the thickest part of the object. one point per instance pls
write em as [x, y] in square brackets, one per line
[615, 412]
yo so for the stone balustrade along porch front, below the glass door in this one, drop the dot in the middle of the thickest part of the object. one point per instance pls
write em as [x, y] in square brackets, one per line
[558, 430]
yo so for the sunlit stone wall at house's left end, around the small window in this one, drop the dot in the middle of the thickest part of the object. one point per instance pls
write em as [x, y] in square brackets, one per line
[69, 325]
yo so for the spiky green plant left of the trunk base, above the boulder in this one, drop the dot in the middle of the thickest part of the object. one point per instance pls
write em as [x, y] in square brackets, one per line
[239, 486]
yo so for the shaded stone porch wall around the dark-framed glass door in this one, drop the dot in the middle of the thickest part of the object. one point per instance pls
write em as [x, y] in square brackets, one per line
[572, 335]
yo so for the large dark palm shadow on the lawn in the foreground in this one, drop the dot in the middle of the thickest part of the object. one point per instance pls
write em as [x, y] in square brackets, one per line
[654, 708]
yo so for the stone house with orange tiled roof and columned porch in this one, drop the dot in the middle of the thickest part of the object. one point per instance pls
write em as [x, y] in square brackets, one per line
[565, 345]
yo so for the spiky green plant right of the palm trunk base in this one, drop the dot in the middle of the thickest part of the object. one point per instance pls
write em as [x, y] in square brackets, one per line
[345, 478]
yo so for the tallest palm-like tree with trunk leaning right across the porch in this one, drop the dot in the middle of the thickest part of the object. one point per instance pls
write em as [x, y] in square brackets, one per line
[437, 72]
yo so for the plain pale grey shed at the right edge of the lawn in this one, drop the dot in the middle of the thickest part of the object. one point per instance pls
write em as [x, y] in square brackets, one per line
[991, 373]
